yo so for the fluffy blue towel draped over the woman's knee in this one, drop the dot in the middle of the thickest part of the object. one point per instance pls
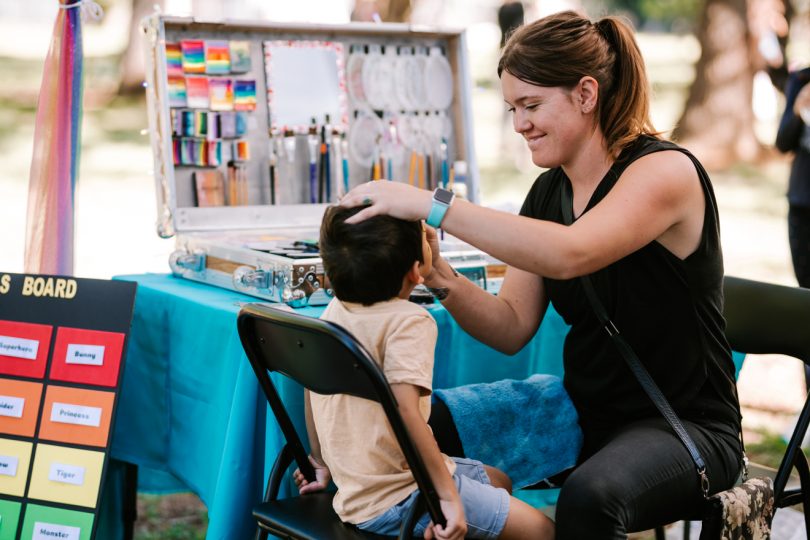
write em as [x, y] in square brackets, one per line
[528, 429]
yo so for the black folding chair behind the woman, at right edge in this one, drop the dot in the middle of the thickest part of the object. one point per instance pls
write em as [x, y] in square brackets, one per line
[765, 318]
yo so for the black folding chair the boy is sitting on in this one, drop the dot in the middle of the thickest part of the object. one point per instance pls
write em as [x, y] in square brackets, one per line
[326, 359]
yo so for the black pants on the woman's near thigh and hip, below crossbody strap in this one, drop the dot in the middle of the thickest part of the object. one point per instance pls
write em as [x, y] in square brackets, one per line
[641, 478]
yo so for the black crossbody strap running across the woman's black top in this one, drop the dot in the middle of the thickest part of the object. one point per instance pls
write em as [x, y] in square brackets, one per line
[632, 360]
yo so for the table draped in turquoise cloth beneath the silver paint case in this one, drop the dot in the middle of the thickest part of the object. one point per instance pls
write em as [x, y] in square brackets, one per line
[191, 415]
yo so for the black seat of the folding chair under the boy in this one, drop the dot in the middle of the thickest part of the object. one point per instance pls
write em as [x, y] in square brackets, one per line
[308, 517]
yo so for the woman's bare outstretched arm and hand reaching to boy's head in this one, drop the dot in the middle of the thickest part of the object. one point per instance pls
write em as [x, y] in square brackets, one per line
[658, 197]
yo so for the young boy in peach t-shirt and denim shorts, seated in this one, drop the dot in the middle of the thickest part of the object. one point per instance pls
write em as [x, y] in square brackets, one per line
[373, 267]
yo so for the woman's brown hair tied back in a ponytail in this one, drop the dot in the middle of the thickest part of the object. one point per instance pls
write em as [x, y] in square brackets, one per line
[560, 49]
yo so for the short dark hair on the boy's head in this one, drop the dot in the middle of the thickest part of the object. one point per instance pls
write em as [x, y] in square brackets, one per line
[366, 261]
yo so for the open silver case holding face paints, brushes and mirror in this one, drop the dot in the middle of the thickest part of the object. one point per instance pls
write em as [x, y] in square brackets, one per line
[257, 127]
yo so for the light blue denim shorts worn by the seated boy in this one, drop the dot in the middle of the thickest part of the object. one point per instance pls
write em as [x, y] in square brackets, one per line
[485, 507]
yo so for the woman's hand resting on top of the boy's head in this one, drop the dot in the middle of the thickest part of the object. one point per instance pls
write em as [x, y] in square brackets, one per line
[388, 198]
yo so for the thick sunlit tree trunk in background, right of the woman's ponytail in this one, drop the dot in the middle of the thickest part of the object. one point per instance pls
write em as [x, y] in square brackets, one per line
[718, 121]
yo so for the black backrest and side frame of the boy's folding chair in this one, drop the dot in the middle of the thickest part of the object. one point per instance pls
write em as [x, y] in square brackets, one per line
[326, 359]
